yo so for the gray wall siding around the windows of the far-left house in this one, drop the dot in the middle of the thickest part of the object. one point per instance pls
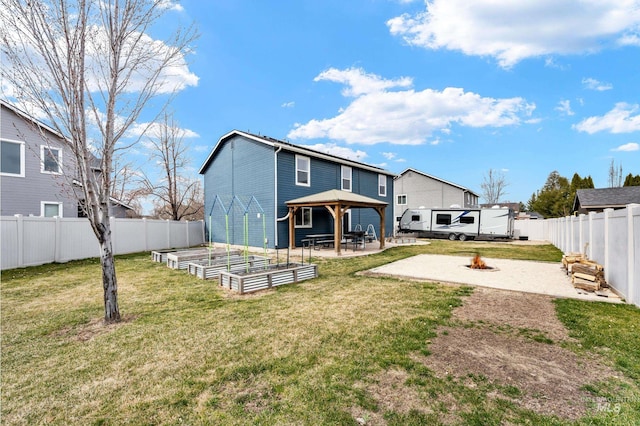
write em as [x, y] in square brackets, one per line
[24, 195]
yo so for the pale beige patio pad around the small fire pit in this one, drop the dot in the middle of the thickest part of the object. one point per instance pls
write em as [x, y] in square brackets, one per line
[518, 275]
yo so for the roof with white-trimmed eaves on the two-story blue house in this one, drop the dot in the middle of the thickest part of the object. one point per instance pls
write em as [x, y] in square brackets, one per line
[287, 146]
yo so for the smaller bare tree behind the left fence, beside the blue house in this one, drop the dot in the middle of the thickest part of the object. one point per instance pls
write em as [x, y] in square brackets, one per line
[178, 197]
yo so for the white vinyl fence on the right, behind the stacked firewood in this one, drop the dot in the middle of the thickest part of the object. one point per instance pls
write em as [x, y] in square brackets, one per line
[611, 238]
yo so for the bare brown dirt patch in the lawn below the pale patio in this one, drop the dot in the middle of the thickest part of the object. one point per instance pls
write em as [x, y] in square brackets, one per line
[490, 343]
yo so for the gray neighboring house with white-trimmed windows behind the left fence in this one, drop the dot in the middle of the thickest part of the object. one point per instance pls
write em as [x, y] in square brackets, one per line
[37, 169]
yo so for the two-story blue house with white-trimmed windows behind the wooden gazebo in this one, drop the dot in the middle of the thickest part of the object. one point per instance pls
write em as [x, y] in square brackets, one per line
[260, 174]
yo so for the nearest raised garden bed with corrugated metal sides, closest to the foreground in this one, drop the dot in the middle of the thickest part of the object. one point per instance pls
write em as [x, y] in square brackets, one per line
[273, 276]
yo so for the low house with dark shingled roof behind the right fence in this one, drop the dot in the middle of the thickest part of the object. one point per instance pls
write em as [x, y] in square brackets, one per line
[598, 199]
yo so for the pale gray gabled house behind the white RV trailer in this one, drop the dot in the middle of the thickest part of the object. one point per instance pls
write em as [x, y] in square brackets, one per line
[413, 189]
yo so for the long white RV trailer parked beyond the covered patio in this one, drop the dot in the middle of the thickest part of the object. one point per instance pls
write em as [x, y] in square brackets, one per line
[458, 223]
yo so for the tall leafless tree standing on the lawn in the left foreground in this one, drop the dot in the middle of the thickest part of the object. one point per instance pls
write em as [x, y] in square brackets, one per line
[90, 69]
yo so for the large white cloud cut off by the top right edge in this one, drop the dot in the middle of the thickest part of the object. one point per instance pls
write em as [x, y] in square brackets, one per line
[511, 31]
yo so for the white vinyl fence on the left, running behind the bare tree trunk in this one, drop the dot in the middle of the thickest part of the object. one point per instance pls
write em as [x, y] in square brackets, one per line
[30, 240]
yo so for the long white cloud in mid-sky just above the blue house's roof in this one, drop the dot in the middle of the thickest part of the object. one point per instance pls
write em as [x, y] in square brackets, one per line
[405, 117]
